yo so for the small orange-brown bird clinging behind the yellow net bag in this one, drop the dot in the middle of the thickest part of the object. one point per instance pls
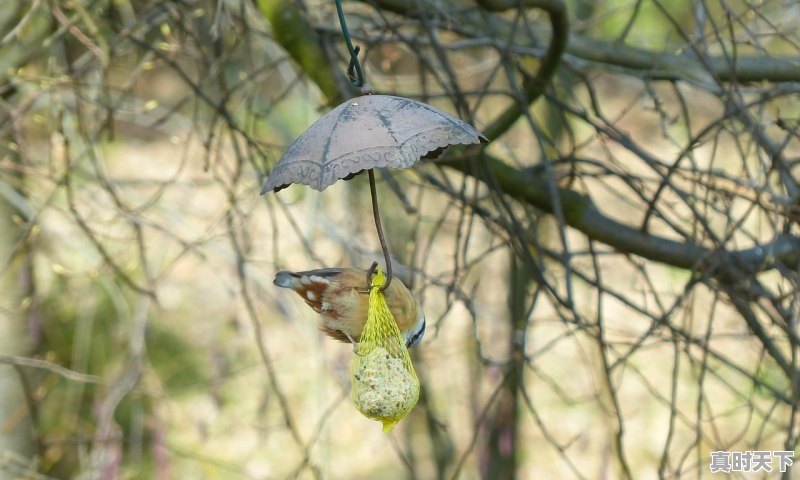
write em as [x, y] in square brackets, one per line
[341, 297]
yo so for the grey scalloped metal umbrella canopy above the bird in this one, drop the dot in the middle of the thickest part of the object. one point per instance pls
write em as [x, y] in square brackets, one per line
[371, 131]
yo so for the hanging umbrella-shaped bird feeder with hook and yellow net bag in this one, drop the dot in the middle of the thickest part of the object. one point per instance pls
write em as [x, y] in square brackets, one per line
[364, 133]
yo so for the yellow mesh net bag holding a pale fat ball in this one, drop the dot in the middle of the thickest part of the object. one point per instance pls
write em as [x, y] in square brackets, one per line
[385, 385]
